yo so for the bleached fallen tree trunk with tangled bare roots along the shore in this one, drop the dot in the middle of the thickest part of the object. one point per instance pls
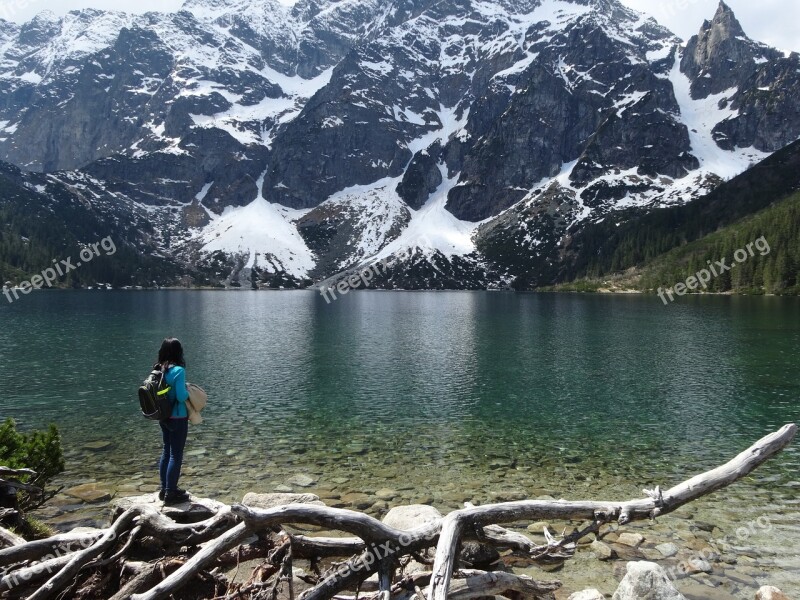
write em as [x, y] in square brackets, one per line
[239, 531]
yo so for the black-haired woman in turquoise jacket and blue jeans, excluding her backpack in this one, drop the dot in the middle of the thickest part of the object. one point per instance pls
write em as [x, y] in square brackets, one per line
[176, 428]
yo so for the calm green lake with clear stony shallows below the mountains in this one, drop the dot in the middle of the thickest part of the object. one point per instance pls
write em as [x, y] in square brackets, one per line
[442, 397]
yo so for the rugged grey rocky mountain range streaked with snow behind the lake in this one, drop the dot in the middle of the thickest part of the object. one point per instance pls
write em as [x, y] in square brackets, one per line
[456, 138]
